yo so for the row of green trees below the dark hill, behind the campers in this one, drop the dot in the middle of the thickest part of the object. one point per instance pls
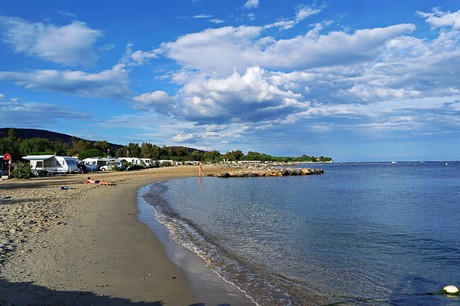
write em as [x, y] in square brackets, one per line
[18, 148]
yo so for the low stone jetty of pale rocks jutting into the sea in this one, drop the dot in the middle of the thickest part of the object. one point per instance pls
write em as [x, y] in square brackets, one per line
[269, 172]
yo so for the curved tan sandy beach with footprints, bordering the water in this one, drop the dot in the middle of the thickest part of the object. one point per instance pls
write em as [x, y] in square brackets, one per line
[83, 244]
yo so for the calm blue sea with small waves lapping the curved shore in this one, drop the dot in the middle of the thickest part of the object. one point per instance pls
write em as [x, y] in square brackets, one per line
[383, 233]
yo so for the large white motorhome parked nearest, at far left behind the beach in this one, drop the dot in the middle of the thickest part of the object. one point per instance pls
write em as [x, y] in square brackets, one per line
[51, 164]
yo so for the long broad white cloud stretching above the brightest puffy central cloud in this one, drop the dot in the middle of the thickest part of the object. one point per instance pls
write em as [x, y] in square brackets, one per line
[245, 46]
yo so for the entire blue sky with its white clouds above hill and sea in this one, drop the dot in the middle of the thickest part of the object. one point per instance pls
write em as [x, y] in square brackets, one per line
[356, 80]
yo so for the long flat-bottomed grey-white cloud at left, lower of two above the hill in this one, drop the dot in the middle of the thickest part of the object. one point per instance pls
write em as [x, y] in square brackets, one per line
[113, 83]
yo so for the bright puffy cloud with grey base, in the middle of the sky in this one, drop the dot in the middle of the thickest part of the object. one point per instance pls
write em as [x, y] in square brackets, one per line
[237, 98]
